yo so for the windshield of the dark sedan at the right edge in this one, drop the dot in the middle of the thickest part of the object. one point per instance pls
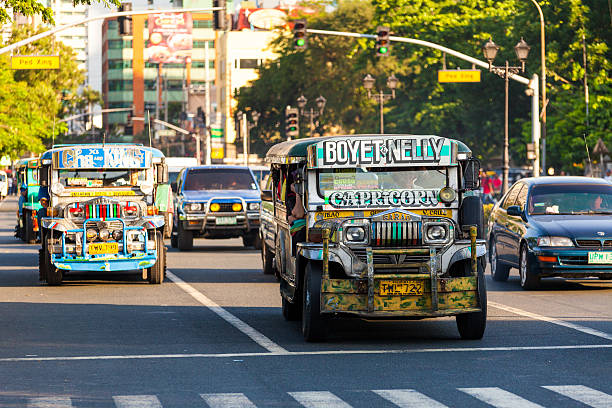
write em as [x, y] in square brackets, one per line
[571, 199]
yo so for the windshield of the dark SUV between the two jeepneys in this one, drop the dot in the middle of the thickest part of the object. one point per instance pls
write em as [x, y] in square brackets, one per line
[219, 179]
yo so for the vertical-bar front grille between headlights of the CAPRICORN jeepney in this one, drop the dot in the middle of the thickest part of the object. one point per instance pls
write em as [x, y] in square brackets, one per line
[395, 233]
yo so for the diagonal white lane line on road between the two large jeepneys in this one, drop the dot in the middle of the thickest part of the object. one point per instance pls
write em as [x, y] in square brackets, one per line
[256, 336]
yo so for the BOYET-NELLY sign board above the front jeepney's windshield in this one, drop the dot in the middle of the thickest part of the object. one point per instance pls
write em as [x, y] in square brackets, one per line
[383, 151]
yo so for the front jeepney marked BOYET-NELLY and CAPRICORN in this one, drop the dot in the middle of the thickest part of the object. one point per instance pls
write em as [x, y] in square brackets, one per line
[392, 229]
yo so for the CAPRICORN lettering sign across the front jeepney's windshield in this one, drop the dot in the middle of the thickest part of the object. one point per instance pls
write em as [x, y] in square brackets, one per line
[380, 198]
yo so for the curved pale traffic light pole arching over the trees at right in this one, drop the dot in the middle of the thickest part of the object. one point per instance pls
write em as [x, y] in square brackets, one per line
[532, 84]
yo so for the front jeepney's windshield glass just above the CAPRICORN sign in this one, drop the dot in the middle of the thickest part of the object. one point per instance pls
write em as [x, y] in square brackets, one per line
[381, 179]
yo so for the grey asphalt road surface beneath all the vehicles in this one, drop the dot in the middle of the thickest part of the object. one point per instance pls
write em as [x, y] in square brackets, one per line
[212, 335]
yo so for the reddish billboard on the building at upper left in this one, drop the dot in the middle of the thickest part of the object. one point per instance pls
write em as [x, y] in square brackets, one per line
[170, 37]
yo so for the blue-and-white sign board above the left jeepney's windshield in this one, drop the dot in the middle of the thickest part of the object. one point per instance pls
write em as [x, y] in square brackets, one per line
[102, 157]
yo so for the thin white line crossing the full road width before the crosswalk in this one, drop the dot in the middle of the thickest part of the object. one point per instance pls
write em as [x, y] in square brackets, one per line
[303, 353]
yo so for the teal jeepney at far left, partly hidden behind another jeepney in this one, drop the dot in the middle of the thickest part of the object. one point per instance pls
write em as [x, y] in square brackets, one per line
[27, 187]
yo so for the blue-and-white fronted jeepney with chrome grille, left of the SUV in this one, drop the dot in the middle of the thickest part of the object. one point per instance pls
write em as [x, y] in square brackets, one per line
[102, 210]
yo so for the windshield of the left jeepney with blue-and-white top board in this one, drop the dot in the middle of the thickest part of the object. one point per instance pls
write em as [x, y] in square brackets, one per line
[102, 178]
